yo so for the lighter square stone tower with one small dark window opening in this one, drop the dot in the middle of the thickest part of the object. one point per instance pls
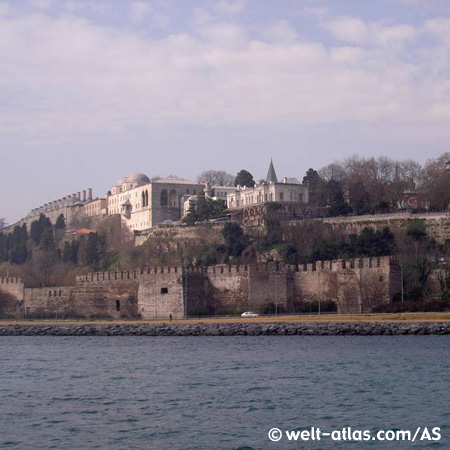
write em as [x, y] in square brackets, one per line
[160, 294]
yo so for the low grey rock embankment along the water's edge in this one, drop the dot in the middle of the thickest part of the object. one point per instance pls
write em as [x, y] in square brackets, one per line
[230, 329]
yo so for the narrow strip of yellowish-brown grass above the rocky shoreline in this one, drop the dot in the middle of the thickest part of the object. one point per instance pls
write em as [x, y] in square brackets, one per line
[403, 317]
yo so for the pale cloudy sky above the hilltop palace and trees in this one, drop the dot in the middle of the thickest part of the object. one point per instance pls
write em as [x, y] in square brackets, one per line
[92, 90]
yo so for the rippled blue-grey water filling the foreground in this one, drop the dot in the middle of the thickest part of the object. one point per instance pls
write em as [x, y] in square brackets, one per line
[218, 392]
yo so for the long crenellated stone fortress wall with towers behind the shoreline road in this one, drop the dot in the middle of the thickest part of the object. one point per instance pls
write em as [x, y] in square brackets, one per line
[154, 293]
